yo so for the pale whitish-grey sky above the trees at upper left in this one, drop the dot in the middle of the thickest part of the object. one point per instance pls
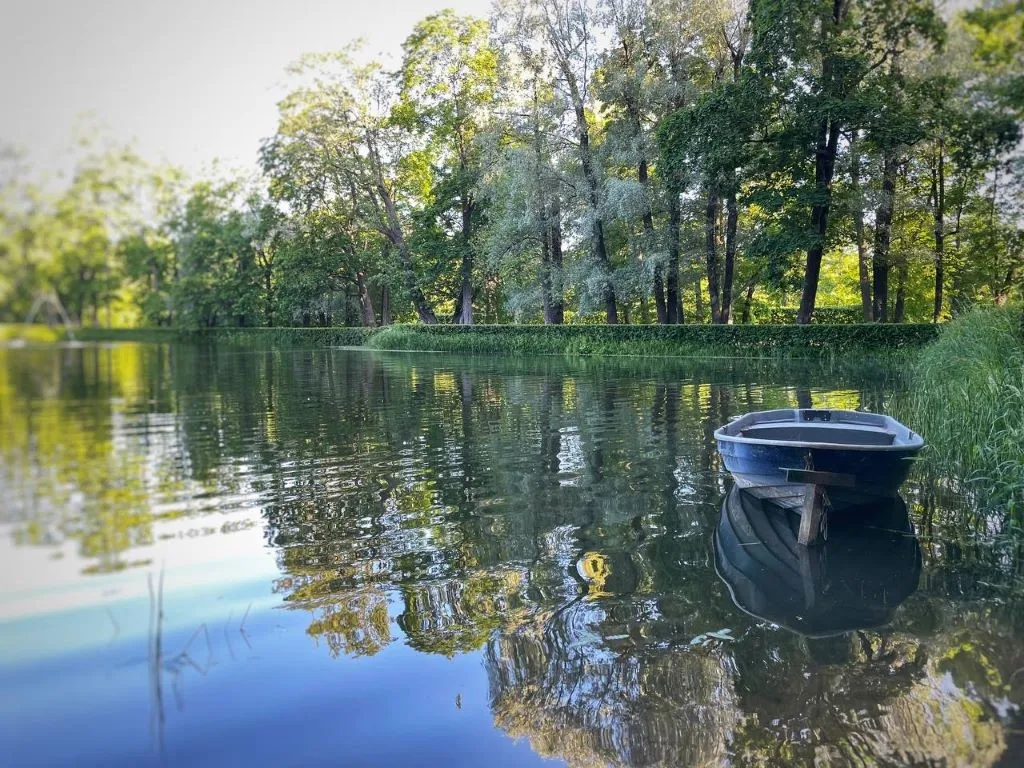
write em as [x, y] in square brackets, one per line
[189, 81]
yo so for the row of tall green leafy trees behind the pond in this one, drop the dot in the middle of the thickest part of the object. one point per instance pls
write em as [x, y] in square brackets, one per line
[621, 161]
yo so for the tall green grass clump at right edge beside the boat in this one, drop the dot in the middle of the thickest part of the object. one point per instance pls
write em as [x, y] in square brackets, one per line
[968, 401]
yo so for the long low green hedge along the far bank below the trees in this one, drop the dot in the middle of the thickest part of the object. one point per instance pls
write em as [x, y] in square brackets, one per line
[687, 340]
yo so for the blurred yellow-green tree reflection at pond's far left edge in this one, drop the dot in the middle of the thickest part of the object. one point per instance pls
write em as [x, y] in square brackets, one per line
[68, 465]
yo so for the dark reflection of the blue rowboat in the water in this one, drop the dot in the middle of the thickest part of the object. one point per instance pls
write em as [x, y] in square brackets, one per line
[869, 564]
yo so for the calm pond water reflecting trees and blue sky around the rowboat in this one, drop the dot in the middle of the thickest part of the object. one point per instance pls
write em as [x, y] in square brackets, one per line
[294, 558]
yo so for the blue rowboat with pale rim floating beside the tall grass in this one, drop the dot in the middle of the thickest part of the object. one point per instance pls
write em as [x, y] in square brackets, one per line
[869, 453]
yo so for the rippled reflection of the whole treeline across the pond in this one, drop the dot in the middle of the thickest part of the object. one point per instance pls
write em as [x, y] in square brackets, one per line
[557, 519]
